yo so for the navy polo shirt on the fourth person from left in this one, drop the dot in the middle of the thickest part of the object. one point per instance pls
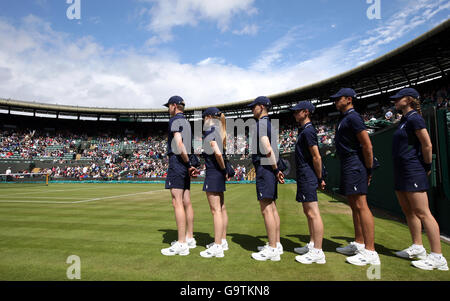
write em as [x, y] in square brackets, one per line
[307, 137]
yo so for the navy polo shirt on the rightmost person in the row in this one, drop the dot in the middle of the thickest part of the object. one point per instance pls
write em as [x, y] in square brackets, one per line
[406, 146]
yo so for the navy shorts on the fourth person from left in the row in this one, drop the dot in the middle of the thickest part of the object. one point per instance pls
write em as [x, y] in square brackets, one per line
[306, 185]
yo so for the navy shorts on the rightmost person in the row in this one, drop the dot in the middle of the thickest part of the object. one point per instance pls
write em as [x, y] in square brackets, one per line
[411, 179]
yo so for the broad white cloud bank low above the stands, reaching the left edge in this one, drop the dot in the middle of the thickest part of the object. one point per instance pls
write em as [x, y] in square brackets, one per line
[39, 64]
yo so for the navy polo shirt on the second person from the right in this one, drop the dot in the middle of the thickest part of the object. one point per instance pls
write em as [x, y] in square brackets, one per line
[350, 124]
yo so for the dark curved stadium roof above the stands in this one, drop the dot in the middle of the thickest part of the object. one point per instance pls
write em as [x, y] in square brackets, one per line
[423, 59]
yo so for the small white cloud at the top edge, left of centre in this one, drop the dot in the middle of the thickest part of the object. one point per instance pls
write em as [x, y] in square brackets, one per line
[166, 14]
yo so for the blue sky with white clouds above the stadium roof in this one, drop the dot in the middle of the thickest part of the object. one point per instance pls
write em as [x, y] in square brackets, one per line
[138, 53]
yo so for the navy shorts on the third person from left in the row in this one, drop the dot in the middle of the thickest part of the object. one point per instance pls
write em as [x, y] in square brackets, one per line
[266, 183]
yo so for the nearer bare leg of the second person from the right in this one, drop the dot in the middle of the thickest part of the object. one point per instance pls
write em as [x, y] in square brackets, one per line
[365, 218]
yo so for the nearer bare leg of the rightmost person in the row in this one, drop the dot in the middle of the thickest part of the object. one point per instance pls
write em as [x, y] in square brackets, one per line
[419, 205]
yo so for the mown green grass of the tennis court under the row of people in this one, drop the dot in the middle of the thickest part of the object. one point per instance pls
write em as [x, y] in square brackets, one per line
[120, 229]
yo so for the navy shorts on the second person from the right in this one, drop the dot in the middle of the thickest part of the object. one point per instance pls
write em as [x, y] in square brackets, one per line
[353, 176]
